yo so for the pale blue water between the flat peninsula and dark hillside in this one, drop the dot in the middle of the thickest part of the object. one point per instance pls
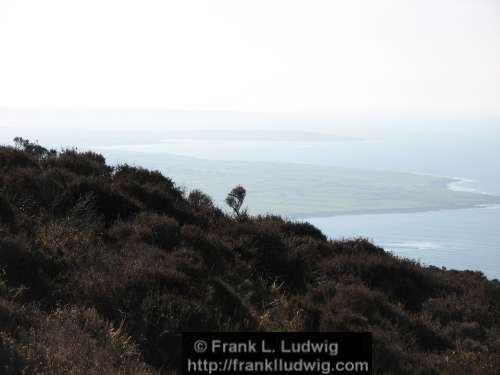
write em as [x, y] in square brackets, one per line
[455, 239]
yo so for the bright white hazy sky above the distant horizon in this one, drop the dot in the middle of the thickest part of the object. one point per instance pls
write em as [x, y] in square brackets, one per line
[308, 57]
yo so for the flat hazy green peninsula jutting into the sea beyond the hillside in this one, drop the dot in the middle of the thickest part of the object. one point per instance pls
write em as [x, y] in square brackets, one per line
[303, 190]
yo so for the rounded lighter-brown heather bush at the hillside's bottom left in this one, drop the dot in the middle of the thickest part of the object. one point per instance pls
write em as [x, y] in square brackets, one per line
[75, 341]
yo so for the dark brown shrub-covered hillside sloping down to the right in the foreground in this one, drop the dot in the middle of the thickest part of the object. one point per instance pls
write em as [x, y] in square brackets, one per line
[100, 265]
